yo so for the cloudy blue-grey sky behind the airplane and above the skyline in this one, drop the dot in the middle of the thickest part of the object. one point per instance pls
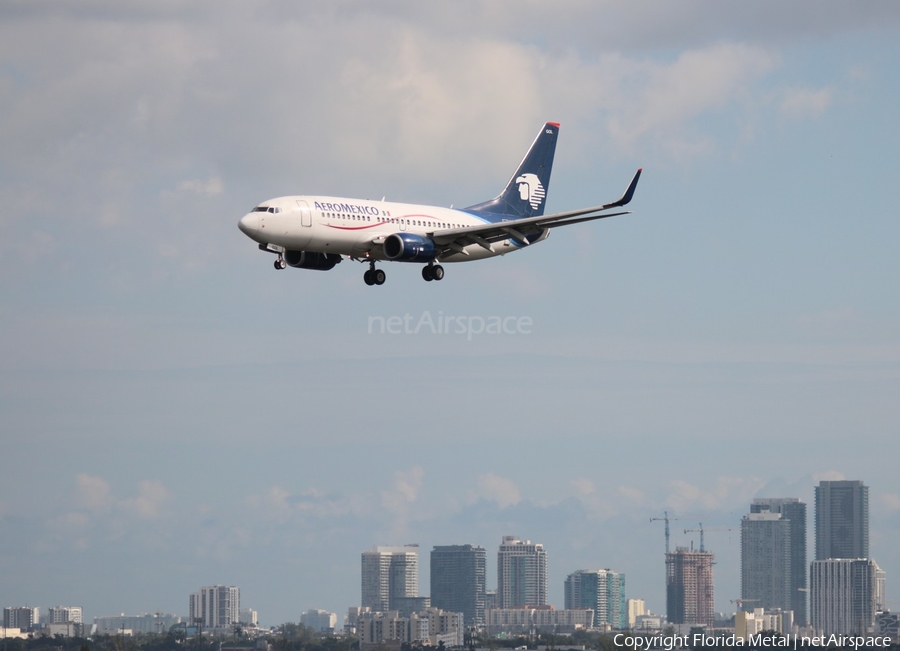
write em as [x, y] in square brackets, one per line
[174, 413]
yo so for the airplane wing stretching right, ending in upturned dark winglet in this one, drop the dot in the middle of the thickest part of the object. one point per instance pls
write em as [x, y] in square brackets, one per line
[456, 239]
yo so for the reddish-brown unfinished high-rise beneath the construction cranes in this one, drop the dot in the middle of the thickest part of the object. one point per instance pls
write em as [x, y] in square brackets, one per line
[690, 596]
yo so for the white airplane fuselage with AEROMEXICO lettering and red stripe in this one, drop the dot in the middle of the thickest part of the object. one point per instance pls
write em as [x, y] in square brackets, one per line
[350, 226]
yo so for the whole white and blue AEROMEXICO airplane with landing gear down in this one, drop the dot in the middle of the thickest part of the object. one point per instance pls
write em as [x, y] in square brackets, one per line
[317, 232]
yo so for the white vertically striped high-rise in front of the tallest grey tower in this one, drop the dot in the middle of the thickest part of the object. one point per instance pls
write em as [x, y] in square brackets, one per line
[845, 595]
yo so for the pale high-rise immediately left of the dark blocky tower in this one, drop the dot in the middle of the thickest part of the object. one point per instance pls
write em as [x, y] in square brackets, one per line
[389, 573]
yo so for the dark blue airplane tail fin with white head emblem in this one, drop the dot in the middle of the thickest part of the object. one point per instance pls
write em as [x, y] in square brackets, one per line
[526, 191]
